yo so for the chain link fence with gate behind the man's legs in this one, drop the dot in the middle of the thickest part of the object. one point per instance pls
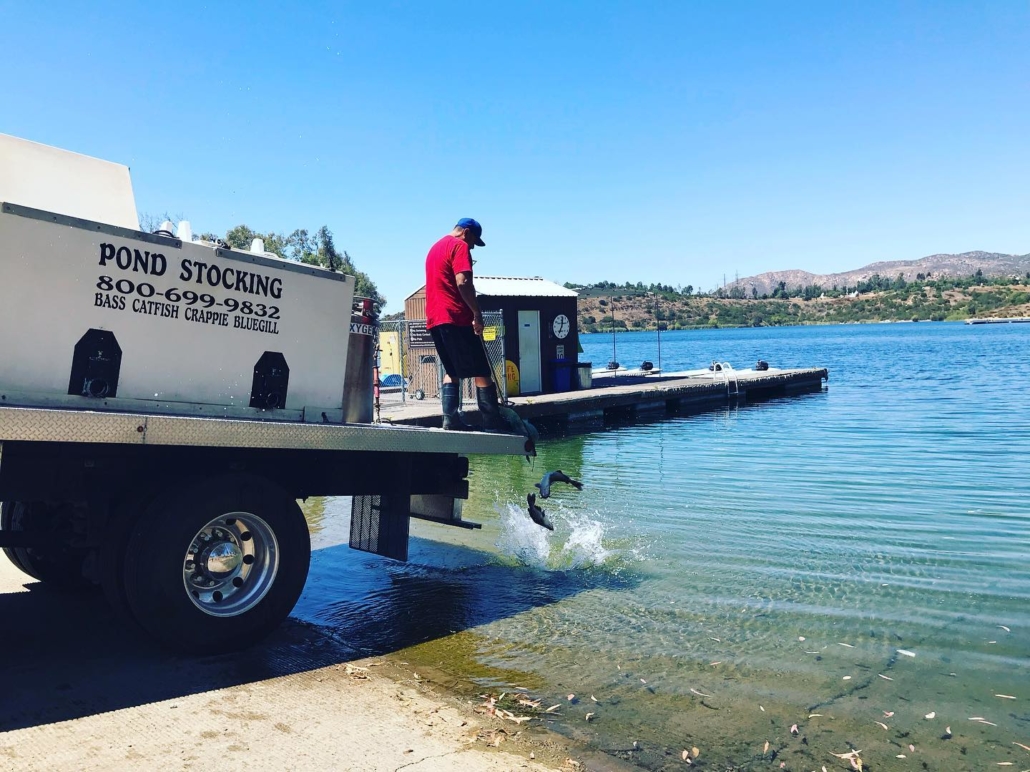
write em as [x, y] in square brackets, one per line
[409, 368]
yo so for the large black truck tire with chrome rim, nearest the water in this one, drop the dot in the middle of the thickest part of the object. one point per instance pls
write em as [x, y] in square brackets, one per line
[216, 566]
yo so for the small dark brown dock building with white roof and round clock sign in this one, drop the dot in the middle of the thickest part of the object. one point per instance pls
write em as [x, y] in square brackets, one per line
[541, 334]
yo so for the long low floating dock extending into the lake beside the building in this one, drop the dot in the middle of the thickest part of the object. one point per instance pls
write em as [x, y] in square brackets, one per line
[628, 397]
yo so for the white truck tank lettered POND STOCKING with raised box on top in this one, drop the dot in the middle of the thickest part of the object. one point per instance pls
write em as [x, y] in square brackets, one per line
[98, 315]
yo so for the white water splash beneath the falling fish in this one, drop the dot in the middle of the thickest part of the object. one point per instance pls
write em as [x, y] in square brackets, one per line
[578, 541]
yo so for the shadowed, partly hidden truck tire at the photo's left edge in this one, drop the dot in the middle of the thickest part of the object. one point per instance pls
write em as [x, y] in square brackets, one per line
[58, 565]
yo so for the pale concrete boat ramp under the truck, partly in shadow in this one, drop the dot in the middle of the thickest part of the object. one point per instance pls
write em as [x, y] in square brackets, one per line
[90, 694]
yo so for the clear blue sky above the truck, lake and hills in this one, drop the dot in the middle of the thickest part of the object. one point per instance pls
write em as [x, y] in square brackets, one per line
[669, 143]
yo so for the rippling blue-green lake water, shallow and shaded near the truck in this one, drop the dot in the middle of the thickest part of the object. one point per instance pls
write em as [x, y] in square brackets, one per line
[855, 563]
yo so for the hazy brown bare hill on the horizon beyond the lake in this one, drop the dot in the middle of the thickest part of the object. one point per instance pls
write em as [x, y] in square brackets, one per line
[938, 266]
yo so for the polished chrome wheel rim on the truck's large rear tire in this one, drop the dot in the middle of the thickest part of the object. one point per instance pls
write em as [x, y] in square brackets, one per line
[231, 565]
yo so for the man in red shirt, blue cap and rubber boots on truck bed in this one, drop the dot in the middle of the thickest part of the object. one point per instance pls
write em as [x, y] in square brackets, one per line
[456, 322]
